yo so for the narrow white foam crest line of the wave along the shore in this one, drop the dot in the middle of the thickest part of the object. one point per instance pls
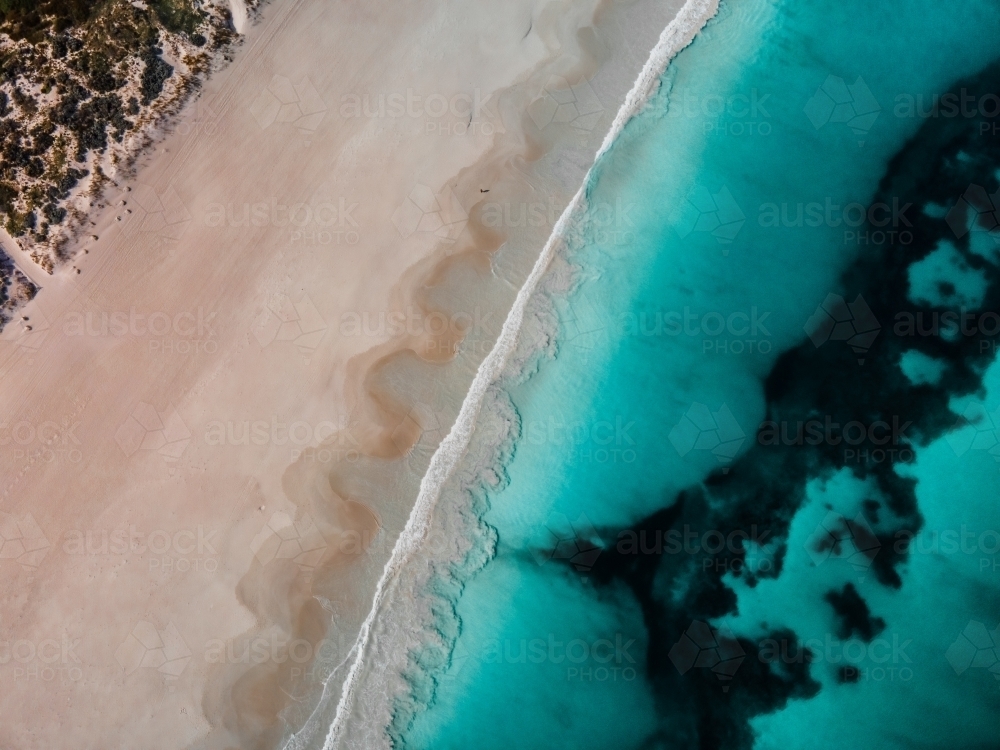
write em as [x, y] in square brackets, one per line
[677, 35]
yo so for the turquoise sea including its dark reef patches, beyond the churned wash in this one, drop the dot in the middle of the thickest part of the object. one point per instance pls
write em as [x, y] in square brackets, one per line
[753, 498]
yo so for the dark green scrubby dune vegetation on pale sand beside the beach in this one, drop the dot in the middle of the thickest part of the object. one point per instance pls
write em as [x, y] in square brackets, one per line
[83, 83]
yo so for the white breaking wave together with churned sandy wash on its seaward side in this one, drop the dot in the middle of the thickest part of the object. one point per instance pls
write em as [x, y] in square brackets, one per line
[375, 688]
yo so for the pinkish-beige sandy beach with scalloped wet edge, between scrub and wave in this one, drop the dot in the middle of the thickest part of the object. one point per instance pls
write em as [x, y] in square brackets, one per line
[213, 434]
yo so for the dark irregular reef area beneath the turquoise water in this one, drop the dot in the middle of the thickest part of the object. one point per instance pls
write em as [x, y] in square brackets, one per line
[705, 700]
